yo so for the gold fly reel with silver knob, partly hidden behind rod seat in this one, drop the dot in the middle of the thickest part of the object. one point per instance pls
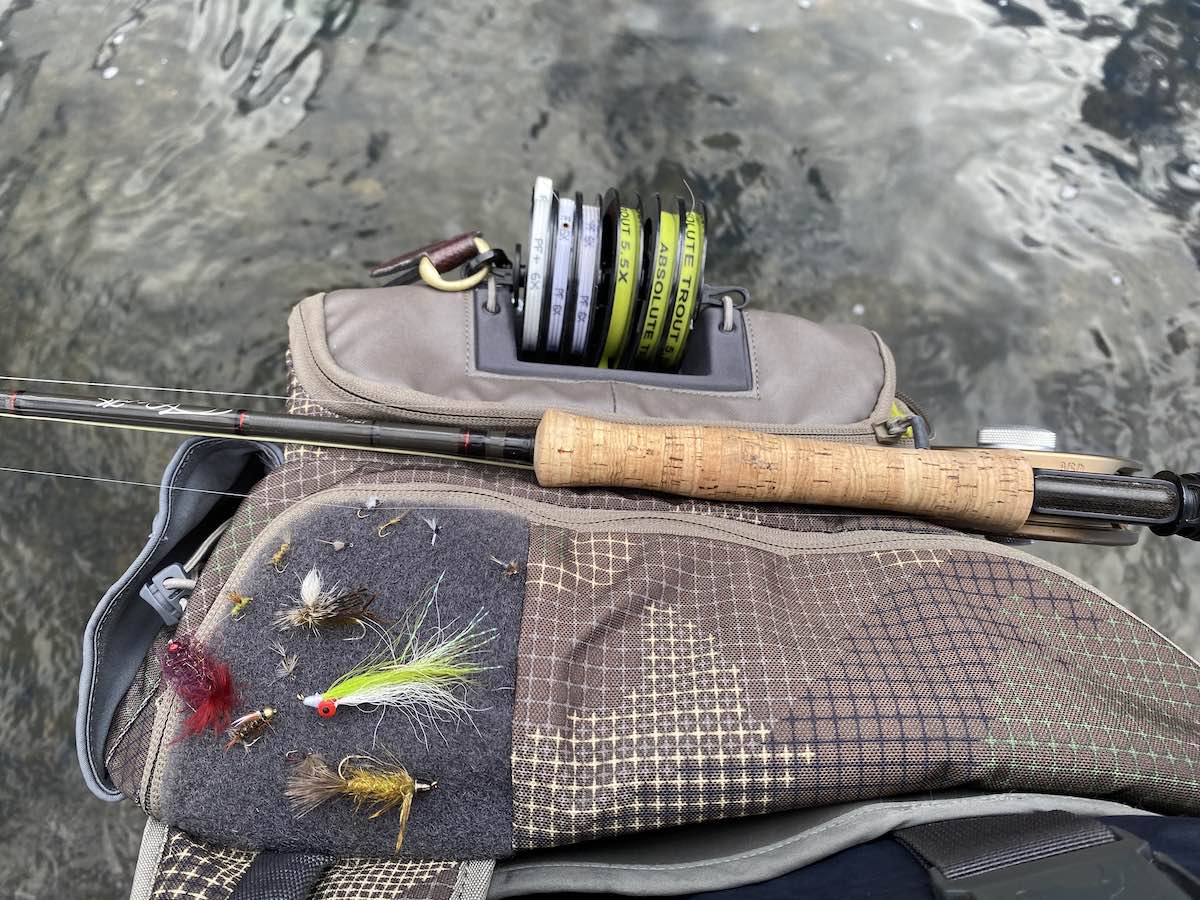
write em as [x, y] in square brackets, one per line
[1040, 448]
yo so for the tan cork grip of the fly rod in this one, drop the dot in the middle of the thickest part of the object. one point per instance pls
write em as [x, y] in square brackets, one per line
[983, 490]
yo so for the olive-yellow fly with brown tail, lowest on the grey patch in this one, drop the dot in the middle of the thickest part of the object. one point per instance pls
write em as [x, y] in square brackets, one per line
[370, 784]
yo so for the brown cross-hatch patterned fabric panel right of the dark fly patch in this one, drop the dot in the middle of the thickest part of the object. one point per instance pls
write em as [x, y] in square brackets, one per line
[668, 681]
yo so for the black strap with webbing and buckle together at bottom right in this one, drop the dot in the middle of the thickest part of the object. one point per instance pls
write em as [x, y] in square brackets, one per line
[1035, 855]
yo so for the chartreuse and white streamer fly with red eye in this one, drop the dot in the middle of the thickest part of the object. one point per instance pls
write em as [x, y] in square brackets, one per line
[423, 669]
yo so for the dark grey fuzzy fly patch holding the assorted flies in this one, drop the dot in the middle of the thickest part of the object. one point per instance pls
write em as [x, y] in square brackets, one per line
[237, 797]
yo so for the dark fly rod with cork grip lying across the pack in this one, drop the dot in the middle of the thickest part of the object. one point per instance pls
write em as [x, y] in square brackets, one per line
[986, 490]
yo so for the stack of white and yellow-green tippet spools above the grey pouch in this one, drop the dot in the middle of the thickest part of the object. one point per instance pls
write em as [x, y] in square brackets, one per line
[609, 284]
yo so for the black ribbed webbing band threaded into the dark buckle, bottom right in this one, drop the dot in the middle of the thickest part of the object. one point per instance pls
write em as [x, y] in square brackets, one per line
[961, 848]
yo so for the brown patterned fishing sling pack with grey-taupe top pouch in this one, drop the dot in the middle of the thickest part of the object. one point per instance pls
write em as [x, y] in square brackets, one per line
[675, 695]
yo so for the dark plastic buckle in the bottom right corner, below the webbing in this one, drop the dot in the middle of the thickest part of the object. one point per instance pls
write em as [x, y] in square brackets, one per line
[1126, 866]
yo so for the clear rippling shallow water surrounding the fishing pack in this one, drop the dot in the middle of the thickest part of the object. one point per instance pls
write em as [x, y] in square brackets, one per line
[1007, 191]
